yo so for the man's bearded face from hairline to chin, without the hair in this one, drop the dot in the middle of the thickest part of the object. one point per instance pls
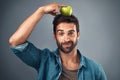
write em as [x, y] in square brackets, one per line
[66, 37]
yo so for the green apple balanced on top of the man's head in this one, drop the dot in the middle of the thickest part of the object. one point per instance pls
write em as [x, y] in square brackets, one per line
[66, 10]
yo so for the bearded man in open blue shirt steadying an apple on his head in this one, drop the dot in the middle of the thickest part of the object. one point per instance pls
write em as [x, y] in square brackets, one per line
[66, 62]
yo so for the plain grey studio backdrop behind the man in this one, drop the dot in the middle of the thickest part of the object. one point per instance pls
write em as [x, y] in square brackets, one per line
[99, 26]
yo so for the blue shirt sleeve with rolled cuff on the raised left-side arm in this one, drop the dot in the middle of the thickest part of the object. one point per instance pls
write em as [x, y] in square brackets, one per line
[28, 53]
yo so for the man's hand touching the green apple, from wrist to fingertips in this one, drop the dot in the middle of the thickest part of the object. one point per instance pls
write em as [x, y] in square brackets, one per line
[52, 8]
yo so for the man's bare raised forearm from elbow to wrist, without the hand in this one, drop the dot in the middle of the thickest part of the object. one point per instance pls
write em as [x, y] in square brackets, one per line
[25, 29]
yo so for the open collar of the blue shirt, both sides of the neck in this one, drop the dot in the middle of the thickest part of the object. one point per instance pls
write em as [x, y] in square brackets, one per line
[82, 58]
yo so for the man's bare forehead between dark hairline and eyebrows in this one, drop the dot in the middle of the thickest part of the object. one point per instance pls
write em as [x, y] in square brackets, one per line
[66, 26]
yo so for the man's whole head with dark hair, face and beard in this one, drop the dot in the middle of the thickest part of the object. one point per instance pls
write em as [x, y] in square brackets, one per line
[66, 32]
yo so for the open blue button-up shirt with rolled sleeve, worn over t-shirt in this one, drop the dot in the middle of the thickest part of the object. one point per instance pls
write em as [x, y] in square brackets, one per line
[48, 63]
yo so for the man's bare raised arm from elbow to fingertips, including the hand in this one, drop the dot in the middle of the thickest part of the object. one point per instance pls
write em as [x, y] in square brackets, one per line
[25, 29]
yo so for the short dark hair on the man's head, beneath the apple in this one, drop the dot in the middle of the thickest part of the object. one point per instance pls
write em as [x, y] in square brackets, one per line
[68, 19]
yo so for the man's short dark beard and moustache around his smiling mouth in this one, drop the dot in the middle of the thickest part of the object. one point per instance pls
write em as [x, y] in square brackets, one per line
[67, 47]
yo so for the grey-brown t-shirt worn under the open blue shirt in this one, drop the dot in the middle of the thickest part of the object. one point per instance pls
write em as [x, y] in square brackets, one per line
[68, 74]
